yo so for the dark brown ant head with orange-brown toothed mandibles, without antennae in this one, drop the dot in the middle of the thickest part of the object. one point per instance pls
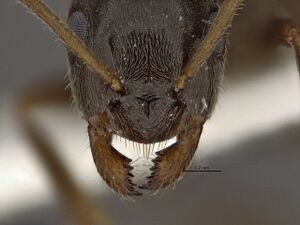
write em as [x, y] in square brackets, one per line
[144, 137]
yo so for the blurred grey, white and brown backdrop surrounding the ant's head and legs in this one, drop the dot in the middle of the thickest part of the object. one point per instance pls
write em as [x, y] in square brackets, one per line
[253, 136]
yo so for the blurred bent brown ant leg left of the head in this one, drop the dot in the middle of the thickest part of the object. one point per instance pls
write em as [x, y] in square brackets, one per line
[81, 208]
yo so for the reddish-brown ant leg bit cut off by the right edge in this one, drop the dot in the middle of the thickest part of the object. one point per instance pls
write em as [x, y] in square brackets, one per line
[289, 34]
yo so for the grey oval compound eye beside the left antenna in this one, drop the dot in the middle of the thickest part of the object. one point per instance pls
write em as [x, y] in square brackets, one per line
[79, 24]
